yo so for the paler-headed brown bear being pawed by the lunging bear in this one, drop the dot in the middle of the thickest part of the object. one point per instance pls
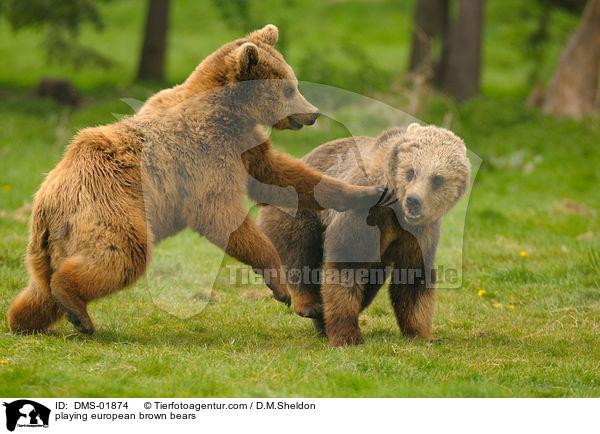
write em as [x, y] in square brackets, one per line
[337, 261]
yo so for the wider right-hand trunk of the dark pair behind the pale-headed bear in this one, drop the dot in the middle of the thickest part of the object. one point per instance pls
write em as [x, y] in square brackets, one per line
[460, 65]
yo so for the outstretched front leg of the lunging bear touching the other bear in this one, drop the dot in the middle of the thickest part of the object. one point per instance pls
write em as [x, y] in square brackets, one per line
[314, 190]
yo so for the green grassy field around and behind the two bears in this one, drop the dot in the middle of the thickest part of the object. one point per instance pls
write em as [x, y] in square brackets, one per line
[525, 321]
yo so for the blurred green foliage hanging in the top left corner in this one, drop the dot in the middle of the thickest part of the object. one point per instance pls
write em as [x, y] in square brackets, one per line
[61, 20]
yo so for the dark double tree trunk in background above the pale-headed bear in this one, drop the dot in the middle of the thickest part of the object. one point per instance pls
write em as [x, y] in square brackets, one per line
[457, 71]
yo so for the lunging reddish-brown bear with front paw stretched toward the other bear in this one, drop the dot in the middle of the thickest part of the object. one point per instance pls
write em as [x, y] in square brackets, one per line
[187, 159]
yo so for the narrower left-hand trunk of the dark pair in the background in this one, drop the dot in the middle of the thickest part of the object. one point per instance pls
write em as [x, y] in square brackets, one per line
[431, 21]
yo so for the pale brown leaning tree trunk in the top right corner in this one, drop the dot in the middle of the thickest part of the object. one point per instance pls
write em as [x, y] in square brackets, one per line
[573, 89]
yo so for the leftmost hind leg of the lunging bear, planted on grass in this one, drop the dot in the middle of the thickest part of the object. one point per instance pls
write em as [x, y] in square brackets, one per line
[35, 308]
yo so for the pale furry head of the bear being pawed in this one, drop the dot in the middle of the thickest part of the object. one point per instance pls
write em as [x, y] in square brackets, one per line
[428, 168]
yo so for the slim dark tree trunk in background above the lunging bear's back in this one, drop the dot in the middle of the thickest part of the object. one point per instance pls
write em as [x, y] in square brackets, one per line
[152, 61]
